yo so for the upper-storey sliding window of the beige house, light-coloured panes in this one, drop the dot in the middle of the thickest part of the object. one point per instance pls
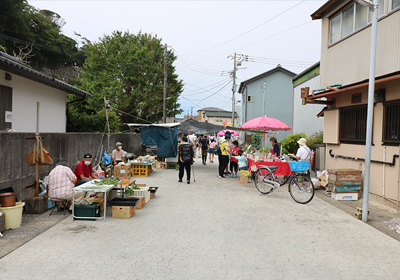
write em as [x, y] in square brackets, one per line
[351, 19]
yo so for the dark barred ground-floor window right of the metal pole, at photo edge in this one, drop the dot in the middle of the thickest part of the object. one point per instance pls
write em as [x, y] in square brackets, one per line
[391, 130]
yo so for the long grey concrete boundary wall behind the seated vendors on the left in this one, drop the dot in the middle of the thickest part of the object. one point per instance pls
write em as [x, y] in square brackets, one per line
[14, 147]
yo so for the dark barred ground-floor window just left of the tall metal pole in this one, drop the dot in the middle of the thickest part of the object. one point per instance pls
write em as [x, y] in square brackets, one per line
[353, 124]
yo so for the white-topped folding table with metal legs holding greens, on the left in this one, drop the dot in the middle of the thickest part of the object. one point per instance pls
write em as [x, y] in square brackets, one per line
[90, 187]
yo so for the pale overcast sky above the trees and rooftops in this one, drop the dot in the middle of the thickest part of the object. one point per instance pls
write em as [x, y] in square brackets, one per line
[203, 34]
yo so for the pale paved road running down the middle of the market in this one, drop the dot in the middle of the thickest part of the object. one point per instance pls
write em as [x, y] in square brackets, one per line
[211, 229]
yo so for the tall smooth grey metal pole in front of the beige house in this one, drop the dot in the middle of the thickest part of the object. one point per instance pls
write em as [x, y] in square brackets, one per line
[370, 112]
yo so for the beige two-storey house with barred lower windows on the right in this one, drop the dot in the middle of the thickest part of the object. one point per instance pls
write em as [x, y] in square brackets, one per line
[345, 52]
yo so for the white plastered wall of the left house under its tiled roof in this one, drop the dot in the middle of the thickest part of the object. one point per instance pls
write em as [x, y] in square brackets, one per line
[25, 95]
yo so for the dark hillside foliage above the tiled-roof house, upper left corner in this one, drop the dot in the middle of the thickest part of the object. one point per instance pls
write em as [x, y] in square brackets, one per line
[22, 25]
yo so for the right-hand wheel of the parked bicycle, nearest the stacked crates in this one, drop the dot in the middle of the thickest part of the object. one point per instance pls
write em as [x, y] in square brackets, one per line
[301, 189]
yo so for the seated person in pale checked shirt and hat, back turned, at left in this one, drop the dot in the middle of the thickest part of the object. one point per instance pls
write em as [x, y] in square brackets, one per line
[61, 181]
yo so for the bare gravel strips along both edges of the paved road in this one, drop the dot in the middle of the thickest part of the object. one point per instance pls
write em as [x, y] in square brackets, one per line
[383, 218]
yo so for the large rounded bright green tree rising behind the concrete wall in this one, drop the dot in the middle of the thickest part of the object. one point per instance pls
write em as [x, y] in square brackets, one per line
[128, 70]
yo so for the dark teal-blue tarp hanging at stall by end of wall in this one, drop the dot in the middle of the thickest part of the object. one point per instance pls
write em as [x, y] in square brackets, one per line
[165, 138]
